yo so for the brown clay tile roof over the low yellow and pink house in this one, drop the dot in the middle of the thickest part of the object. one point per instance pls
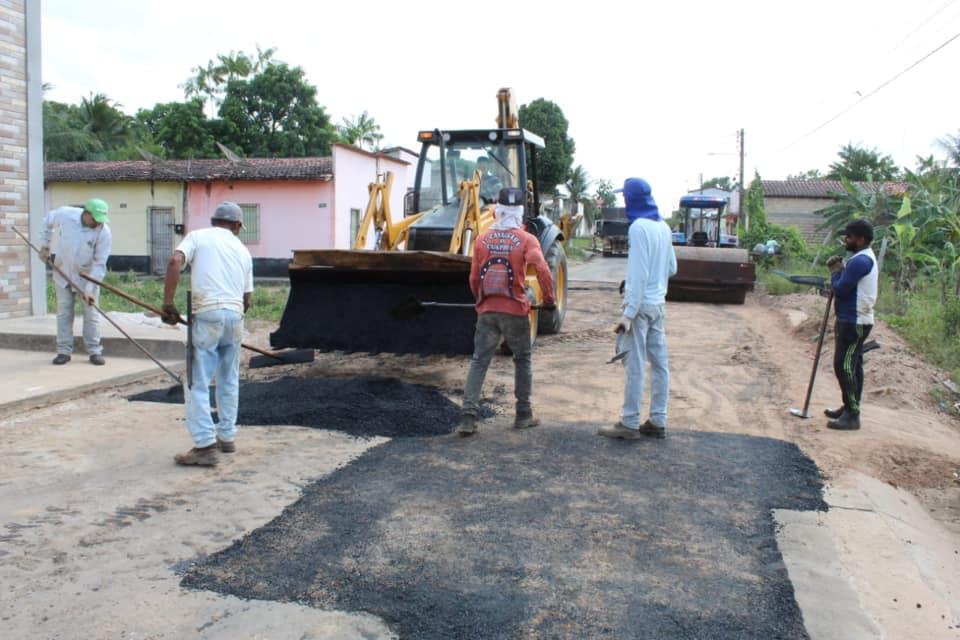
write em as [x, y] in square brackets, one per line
[190, 170]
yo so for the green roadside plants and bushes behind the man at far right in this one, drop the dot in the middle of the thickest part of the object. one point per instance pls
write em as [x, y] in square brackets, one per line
[917, 224]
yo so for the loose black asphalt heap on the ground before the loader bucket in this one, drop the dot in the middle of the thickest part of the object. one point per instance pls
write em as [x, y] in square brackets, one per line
[362, 406]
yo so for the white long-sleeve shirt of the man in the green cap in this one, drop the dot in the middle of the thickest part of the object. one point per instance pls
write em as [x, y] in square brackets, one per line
[80, 249]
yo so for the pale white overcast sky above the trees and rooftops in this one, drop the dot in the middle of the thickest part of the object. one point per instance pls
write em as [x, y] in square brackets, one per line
[656, 90]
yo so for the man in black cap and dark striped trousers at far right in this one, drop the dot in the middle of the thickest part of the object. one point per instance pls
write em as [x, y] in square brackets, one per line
[855, 293]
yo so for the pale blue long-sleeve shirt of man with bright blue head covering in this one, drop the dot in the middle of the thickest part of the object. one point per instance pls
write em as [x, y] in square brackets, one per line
[651, 262]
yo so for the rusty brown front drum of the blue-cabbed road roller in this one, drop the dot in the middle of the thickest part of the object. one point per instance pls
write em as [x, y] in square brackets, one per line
[706, 274]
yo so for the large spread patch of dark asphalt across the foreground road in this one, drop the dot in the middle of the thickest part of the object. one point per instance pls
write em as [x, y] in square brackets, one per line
[553, 533]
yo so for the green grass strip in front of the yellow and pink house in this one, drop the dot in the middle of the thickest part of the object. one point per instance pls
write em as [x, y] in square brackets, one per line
[267, 303]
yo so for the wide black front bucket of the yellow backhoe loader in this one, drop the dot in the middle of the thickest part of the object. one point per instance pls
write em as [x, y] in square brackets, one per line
[354, 301]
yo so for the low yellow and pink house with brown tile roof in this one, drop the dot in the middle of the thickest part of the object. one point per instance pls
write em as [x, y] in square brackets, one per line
[288, 203]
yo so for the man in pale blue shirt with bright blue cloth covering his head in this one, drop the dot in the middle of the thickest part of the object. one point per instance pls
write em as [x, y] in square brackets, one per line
[651, 262]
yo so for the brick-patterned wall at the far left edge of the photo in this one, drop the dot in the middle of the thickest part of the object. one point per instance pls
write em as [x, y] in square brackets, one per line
[14, 256]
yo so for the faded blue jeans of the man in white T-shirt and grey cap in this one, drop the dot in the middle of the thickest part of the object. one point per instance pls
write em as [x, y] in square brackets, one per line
[216, 351]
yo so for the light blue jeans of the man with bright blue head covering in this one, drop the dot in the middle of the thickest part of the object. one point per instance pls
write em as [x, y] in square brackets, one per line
[646, 340]
